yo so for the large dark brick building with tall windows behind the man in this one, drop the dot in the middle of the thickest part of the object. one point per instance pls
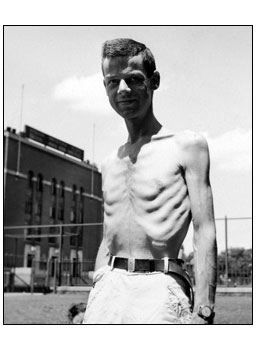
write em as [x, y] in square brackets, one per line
[46, 182]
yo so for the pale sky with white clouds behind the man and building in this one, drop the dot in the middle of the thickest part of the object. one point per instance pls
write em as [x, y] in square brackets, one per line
[206, 86]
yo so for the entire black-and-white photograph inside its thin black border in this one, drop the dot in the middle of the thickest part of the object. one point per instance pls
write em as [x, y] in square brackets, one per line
[127, 174]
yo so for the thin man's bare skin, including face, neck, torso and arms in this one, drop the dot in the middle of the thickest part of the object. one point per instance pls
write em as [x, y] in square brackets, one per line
[156, 183]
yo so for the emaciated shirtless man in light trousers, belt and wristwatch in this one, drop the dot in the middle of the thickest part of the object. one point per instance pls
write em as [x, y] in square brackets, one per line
[154, 185]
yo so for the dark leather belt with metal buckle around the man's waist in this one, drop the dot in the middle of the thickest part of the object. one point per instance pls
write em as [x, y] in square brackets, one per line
[165, 265]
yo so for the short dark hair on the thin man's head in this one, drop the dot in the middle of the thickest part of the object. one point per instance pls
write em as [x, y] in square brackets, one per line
[129, 47]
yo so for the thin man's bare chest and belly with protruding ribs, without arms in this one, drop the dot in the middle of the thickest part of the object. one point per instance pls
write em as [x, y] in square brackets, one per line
[146, 202]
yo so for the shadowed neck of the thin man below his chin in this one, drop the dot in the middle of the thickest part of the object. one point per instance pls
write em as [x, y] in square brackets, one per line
[148, 126]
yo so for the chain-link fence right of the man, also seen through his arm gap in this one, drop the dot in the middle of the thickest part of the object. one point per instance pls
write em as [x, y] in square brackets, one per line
[234, 241]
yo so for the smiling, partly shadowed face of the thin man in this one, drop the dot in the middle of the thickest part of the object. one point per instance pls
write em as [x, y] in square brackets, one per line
[128, 88]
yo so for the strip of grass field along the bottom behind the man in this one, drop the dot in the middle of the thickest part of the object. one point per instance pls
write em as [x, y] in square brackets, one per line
[52, 309]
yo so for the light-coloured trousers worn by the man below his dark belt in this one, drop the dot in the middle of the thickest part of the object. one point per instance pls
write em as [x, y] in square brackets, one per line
[121, 297]
